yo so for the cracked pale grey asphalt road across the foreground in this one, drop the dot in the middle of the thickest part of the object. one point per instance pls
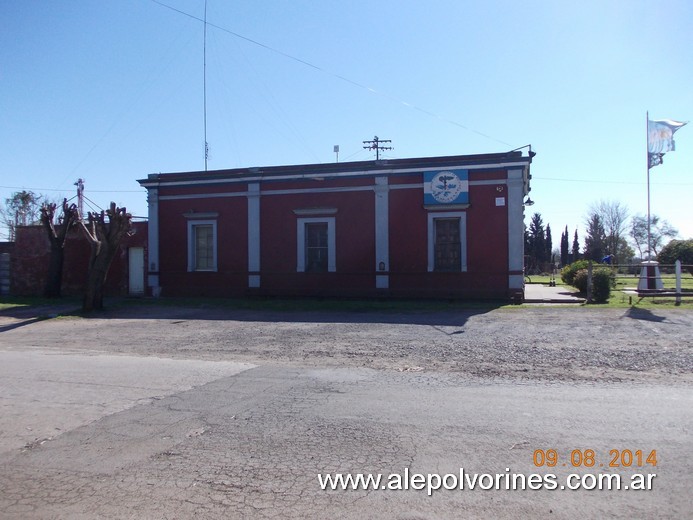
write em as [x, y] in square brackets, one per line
[89, 433]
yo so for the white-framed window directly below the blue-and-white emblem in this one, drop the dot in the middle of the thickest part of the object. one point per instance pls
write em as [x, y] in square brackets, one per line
[447, 241]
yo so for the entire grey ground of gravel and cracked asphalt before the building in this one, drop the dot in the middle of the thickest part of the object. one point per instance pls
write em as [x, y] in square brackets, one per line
[479, 390]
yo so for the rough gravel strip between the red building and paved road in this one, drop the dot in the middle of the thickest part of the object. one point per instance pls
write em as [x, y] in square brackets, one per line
[527, 343]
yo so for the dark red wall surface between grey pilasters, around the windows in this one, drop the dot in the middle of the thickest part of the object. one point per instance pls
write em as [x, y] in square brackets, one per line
[486, 227]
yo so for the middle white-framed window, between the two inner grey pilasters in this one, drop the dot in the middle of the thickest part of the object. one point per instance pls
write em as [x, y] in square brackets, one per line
[315, 245]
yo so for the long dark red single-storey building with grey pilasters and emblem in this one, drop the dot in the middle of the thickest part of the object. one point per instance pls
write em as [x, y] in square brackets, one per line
[447, 227]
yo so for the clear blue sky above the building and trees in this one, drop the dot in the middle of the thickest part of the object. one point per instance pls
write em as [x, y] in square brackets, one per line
[113, 91]
